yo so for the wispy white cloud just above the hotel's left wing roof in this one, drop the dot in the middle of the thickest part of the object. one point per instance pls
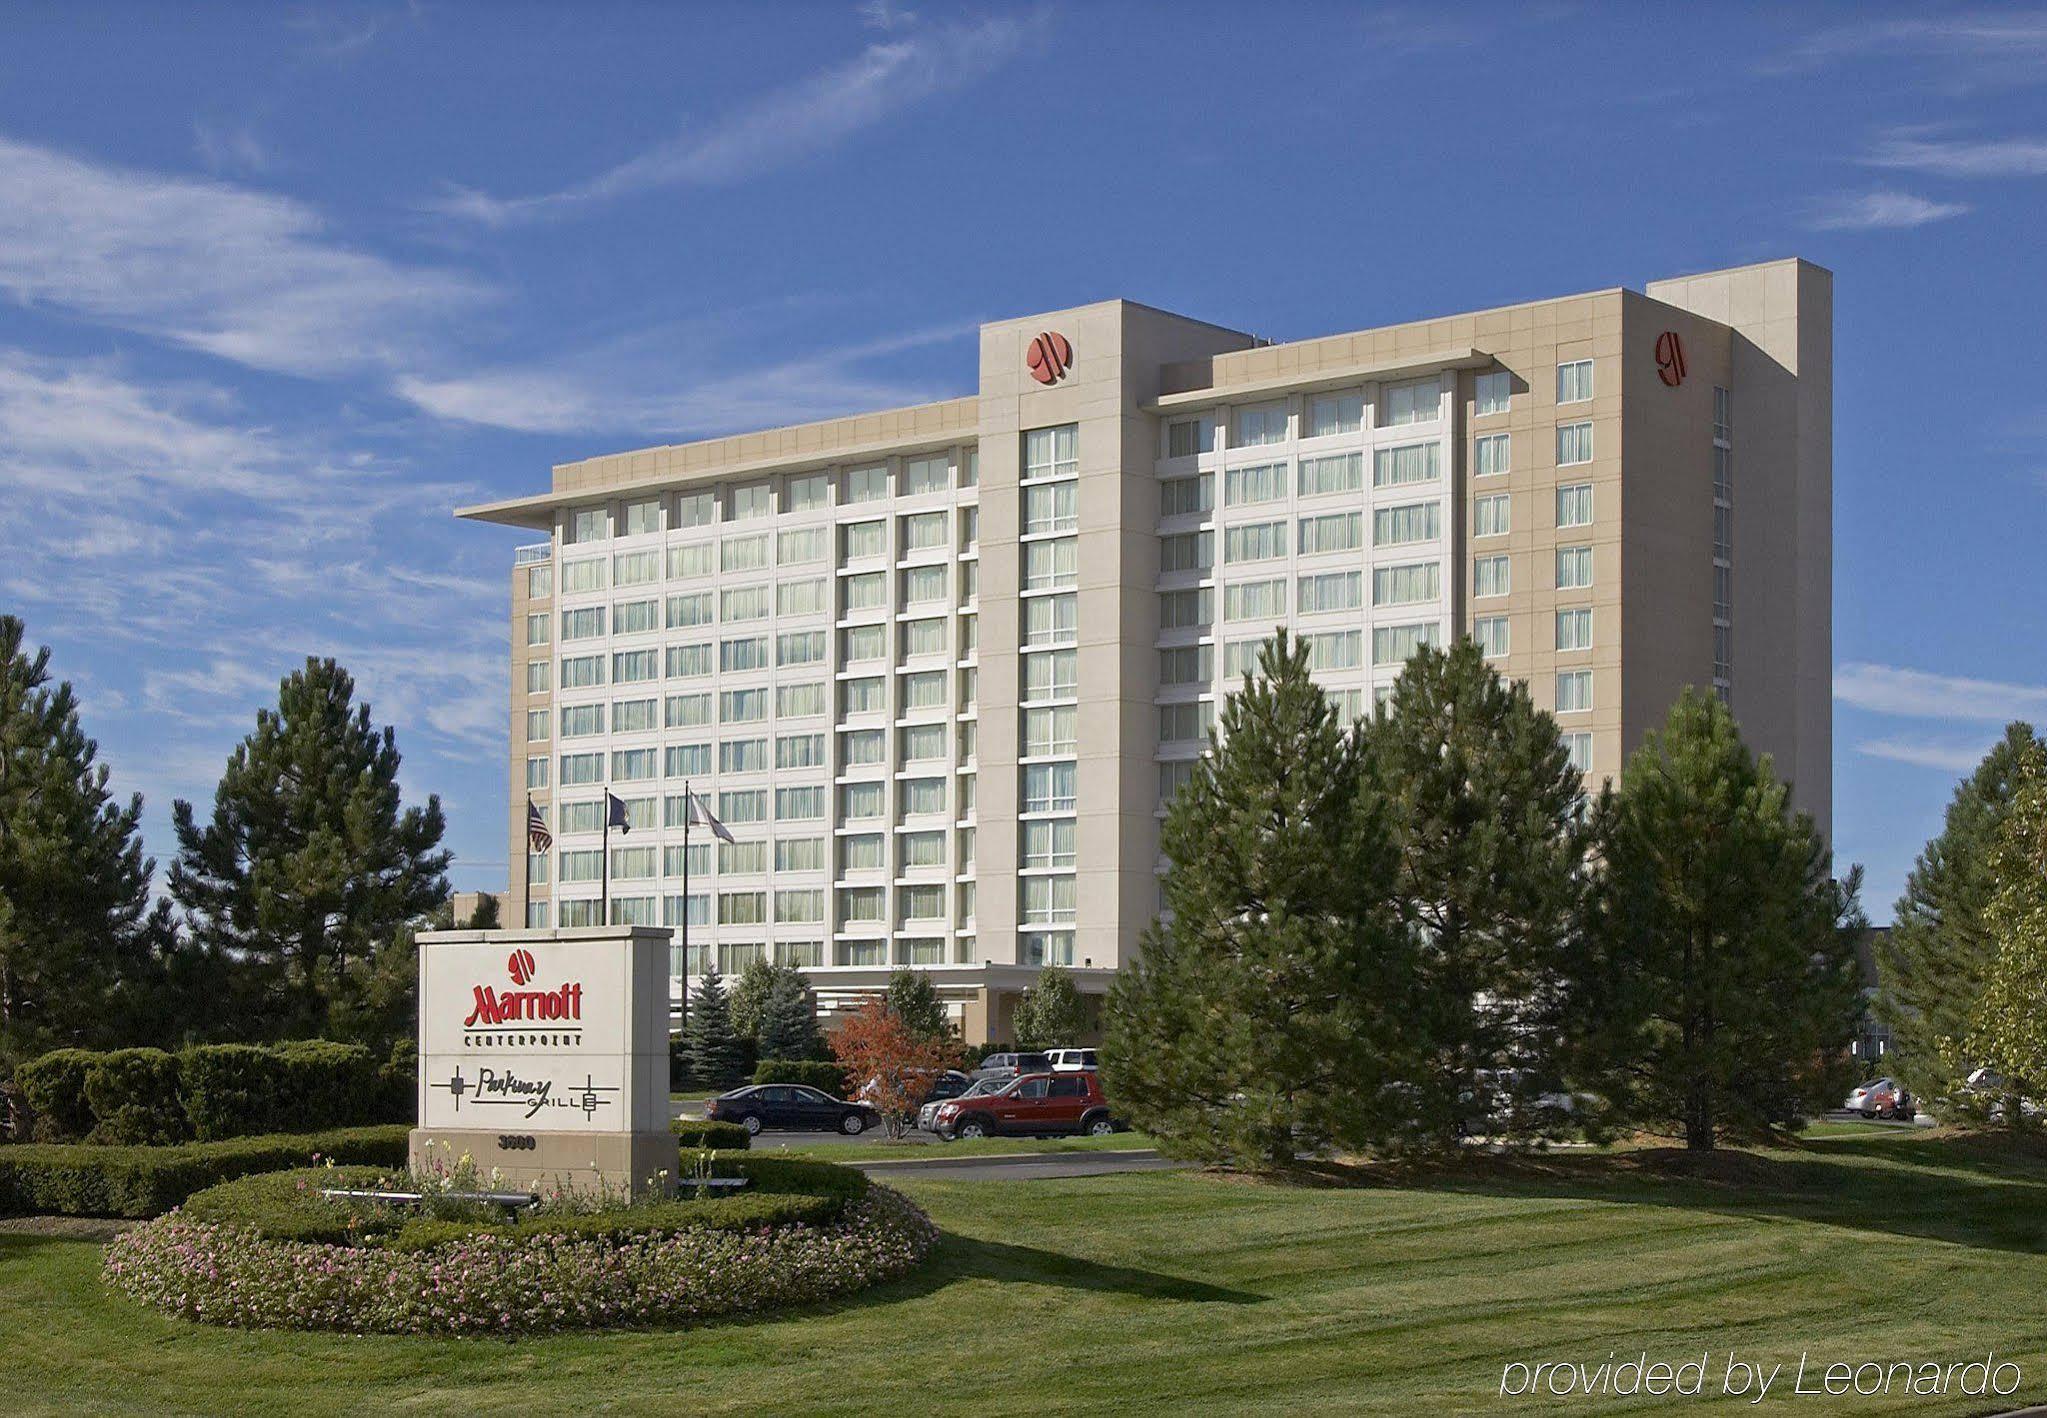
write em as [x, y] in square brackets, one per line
[701, 396]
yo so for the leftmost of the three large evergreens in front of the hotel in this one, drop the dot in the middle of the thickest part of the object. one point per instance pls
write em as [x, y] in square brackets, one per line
[1264, 1016]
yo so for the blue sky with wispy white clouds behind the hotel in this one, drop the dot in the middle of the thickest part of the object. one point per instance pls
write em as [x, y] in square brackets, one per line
[279, 287]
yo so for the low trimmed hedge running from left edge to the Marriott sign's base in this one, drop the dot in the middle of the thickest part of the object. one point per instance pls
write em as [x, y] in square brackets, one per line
[85, 1180]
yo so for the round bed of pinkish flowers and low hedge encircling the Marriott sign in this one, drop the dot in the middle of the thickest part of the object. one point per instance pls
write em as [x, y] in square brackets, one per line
[263, 1259]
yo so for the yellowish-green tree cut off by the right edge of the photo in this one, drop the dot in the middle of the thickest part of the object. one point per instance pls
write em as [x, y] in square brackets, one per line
[2009, 1020]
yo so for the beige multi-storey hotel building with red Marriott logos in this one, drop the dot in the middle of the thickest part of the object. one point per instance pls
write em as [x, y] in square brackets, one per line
[939, 668]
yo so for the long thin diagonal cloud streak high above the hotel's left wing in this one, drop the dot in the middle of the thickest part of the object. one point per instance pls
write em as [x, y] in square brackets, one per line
[785, 128]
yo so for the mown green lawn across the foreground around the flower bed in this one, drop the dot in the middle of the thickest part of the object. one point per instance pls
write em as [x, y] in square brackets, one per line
[1180, 1292]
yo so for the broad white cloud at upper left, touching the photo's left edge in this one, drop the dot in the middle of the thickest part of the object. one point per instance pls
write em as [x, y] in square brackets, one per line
[243, 275]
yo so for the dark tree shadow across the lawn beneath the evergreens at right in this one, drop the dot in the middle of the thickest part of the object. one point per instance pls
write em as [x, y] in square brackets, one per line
[1950, 1190]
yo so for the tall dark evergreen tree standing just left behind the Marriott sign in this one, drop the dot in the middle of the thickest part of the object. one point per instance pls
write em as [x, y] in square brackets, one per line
[310, 869]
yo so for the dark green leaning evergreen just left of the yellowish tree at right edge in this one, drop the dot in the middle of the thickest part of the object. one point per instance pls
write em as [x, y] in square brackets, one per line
[1935, 961]
